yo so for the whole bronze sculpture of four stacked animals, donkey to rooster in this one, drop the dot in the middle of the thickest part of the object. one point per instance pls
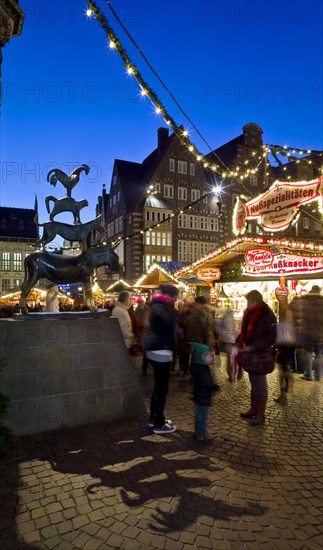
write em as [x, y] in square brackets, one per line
[66, 269]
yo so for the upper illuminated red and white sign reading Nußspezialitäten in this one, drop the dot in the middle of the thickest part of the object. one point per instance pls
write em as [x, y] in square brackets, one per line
[276, 208]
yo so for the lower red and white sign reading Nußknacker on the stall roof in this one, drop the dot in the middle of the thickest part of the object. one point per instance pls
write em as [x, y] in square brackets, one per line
[287, 264]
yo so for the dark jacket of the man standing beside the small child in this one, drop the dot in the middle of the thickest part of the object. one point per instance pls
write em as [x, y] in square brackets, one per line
[162, 318]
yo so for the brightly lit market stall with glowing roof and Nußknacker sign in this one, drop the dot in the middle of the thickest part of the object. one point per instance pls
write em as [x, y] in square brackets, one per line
[279, 268]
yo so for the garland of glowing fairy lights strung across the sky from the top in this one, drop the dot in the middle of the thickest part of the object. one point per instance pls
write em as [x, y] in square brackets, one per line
[240, 172]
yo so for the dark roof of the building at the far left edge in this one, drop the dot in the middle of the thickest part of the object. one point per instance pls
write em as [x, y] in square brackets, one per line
[18, 223]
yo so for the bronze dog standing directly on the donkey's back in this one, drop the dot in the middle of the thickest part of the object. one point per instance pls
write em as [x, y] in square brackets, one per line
[77, 232]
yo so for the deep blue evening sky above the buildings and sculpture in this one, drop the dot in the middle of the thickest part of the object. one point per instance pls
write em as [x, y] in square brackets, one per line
[67, 99]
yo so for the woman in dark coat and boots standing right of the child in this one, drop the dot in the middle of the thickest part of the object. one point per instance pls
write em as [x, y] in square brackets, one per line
[256, 352]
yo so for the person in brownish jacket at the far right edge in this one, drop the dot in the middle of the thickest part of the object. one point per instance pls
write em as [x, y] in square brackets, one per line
[308, 317]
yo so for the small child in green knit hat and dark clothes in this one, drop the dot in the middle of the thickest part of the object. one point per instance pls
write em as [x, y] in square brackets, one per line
[203, 387]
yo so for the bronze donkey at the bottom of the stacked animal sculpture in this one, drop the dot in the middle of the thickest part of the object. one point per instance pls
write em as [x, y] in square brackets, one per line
[67, 269]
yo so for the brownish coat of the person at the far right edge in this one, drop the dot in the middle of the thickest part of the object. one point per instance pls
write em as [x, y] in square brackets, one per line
[308, 318]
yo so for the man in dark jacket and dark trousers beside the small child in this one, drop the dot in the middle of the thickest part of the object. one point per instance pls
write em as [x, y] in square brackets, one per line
[159, 350]
